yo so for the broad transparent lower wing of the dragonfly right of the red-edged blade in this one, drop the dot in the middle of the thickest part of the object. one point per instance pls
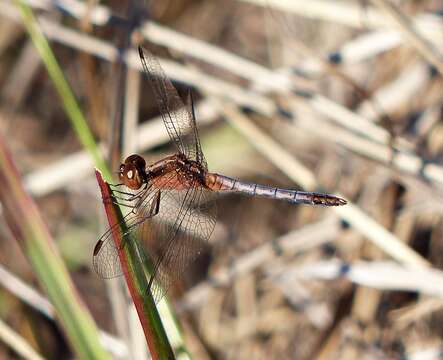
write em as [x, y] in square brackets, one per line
[180, 231]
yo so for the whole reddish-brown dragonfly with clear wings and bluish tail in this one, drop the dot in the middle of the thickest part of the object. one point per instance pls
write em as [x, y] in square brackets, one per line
[172, 201]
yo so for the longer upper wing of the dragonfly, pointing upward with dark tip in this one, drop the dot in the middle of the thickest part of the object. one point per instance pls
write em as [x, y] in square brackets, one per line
[179, 119]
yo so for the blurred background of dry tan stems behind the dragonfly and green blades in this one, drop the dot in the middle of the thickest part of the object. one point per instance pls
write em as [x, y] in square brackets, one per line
[343, 97]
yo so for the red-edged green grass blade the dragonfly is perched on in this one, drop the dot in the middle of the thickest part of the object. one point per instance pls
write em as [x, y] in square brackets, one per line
[135, 275]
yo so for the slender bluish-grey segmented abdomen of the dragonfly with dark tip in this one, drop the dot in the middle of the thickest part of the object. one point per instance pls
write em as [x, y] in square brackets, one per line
[224, 183]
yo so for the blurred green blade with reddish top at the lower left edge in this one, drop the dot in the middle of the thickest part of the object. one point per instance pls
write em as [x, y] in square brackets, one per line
[27, 226]
